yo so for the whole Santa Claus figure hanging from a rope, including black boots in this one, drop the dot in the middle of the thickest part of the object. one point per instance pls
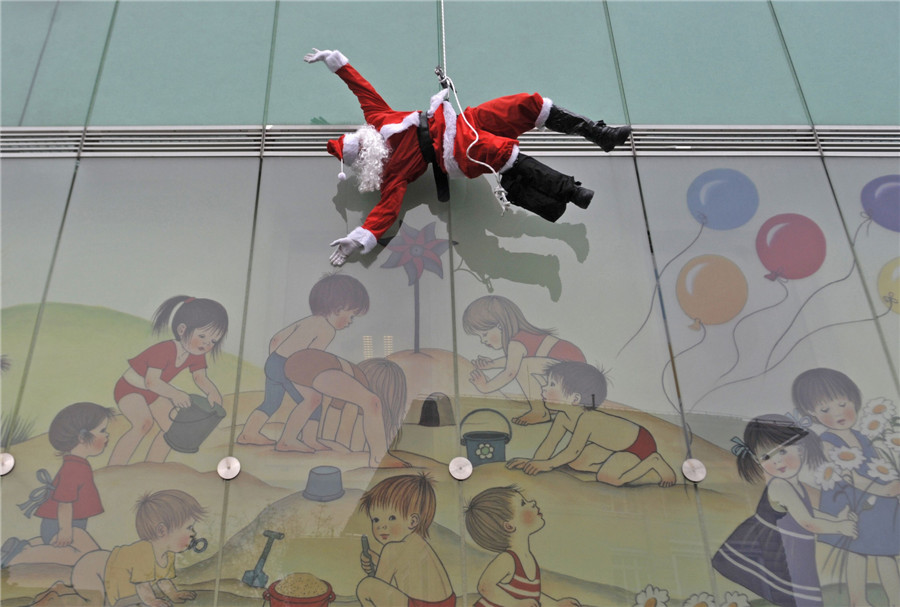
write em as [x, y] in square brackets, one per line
[395, 148]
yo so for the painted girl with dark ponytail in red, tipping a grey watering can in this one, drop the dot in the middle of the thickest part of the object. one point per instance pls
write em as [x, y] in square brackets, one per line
[144, 393]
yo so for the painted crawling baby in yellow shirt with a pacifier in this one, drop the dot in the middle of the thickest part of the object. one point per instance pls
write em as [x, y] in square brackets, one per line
[165, 523]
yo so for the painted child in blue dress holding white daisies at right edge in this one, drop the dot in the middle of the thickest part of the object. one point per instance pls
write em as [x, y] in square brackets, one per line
[866, 480]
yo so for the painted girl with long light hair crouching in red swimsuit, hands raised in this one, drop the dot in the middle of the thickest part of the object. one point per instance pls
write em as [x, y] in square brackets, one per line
[500, 325]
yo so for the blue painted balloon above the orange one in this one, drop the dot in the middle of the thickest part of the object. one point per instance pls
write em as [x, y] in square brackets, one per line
[722, 199]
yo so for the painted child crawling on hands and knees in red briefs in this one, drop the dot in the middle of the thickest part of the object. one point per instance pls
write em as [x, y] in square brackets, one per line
[617, 450]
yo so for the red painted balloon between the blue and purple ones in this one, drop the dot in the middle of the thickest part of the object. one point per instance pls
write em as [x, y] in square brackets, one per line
[790, 246]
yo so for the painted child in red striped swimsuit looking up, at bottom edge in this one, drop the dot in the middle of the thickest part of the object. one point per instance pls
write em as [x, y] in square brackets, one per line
[501, 520]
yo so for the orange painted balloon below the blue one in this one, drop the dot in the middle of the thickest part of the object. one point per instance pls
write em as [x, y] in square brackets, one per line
[711, 289]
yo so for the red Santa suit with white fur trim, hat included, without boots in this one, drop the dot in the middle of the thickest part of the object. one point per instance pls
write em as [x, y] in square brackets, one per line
[485, 140]
